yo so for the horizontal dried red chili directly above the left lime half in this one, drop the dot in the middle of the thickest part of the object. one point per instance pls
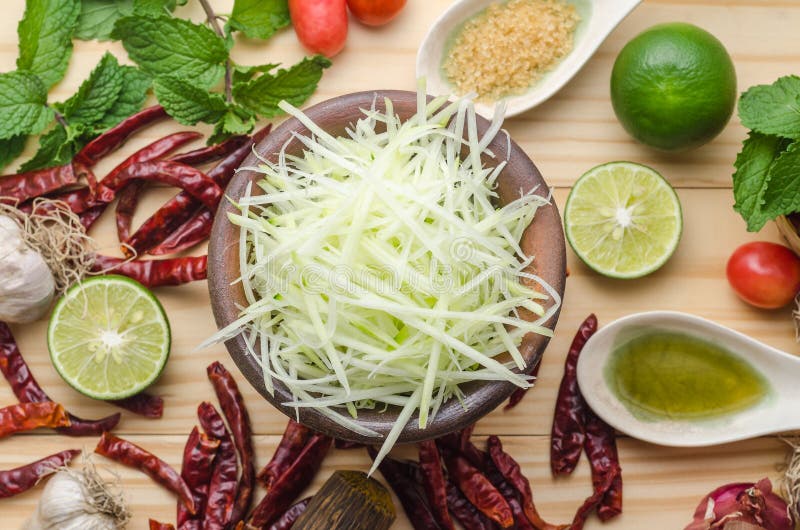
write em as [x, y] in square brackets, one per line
[156, 272]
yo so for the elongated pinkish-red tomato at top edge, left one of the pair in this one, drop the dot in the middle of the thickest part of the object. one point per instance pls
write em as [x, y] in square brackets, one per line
[321, 25]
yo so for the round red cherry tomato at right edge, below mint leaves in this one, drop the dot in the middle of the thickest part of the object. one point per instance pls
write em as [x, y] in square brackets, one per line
[764, 274]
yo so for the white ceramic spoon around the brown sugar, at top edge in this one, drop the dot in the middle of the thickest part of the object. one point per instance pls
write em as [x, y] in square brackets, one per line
[598, 18]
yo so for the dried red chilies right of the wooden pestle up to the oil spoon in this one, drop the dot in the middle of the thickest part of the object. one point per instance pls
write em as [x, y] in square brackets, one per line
[486, 490]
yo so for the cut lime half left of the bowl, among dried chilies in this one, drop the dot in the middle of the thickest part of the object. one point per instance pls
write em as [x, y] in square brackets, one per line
[109, 337]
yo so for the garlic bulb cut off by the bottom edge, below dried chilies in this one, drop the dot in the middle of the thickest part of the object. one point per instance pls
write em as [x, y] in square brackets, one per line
[78, 500]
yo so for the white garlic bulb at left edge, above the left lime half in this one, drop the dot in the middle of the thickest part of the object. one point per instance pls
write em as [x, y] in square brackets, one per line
[27, 285]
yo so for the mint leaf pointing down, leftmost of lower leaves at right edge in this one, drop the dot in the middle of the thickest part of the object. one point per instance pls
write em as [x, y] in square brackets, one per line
[752, 176]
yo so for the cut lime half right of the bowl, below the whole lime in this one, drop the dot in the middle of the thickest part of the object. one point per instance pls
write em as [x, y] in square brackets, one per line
[623, 219]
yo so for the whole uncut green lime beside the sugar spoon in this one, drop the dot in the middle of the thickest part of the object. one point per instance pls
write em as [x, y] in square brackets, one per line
[673, 87]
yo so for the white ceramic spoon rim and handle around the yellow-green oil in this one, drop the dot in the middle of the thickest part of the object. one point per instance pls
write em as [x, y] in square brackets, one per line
[777, 412]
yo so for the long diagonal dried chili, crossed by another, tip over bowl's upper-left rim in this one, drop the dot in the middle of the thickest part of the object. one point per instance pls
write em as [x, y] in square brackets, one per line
[182, 207]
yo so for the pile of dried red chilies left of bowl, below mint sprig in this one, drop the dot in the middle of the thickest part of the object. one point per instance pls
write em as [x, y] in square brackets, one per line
[181, 223]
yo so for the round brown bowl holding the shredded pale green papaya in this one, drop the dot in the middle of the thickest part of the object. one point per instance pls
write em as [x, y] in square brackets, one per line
[544, 239]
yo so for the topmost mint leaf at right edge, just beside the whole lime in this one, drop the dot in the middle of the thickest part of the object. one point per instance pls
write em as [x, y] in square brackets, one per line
[773, 109]
